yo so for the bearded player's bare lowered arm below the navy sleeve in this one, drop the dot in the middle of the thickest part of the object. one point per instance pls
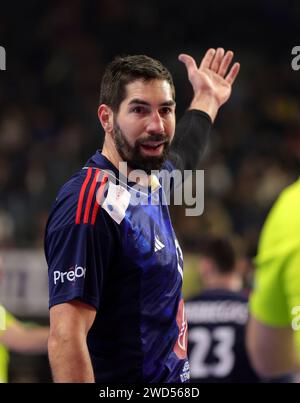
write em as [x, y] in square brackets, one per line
[68, 352]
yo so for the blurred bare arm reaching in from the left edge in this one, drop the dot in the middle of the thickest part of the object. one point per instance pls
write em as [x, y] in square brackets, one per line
[21, 339]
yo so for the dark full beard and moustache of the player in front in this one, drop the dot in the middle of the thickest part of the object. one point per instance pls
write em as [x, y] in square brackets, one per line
[132, 154]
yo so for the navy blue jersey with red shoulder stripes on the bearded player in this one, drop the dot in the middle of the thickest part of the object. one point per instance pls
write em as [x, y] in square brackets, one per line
[125, 261]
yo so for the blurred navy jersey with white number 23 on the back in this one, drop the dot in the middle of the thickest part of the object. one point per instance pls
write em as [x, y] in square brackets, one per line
[216, 341]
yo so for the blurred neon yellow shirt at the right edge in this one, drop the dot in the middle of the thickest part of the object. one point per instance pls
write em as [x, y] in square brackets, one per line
[276, 296]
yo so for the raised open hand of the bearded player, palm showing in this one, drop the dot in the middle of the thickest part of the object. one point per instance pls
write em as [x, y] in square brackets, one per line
[211, 82]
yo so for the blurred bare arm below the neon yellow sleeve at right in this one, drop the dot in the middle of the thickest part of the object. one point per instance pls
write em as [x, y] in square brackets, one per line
[271, 349]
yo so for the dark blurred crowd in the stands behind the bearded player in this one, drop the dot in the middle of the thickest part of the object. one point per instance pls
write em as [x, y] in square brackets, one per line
[56, 53]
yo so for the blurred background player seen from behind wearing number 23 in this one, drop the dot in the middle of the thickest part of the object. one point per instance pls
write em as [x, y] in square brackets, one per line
[217, 319]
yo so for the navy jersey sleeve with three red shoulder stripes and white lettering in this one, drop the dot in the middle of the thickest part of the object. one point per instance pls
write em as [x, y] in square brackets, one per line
[79, 242]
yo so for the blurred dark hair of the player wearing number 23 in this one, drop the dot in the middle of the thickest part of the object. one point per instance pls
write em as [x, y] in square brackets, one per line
[220, 251]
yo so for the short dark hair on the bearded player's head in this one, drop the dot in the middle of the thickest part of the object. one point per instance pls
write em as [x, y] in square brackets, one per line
[126, 69]
